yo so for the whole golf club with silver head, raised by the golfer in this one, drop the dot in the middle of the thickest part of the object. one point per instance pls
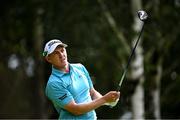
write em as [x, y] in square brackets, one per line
[143, 17]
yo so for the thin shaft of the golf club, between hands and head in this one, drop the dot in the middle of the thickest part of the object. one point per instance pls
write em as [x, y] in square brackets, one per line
[130, 58]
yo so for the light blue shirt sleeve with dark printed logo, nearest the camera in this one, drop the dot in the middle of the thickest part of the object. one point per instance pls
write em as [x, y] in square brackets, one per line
[58, 94]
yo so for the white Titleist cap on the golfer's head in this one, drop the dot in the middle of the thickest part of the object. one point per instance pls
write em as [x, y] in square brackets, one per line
[51, 46]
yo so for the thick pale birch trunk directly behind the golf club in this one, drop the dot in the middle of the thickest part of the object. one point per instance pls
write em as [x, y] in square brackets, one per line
[137, 71]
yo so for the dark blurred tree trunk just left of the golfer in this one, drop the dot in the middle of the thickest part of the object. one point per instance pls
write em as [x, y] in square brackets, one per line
[39, 68]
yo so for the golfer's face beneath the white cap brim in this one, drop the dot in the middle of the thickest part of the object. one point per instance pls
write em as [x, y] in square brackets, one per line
[58, 58]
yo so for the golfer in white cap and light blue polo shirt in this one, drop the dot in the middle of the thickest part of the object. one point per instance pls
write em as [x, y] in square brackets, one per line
[70, 87]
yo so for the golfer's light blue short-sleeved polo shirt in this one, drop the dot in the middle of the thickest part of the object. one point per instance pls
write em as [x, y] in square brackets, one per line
[75, 85]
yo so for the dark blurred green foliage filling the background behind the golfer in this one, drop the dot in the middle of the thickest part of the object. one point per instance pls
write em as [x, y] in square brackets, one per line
[82, 25]
